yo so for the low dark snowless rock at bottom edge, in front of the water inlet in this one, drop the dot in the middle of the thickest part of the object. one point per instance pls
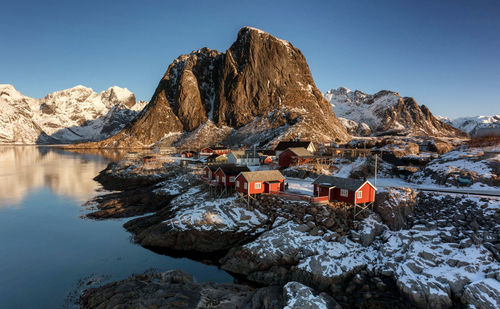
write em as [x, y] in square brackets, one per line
[171, 289]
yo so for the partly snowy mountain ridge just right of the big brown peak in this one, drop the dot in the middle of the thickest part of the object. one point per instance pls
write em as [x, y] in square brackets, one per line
[385, 112]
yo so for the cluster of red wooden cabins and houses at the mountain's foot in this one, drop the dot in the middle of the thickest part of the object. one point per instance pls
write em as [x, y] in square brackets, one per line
[252, 172]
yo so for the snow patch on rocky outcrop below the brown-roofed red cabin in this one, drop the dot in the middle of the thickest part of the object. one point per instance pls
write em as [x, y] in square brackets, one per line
[195, 210]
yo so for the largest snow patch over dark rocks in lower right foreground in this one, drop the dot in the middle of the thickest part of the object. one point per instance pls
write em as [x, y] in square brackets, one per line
[425, 265]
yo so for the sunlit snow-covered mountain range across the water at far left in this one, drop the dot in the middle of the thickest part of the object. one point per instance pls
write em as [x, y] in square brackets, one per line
[72, 115]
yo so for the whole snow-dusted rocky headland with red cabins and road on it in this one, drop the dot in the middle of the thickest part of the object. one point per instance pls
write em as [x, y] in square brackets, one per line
[315, 215]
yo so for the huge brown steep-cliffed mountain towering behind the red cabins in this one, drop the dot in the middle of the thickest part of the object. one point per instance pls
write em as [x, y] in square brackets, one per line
[257, 92]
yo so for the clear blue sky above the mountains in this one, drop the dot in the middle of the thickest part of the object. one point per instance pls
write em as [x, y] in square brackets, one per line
[445, 54]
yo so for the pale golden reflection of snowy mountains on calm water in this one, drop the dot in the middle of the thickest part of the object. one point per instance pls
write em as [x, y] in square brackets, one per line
[27, 168]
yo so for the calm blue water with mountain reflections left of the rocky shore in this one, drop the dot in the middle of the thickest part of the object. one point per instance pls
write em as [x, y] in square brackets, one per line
[46, 248]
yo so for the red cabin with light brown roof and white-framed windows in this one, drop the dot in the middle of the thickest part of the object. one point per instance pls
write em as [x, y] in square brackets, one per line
[260, 182]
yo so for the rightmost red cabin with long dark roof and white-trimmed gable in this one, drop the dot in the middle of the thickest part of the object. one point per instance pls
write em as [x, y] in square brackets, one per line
[352, 191]
